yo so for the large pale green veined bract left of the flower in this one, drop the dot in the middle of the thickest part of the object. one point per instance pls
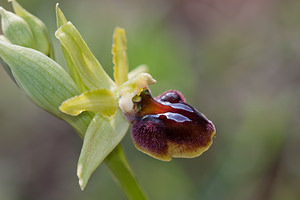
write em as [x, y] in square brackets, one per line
[44, 81]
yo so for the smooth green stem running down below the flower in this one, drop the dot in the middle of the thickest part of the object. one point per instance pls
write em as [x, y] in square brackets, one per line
[118, 165]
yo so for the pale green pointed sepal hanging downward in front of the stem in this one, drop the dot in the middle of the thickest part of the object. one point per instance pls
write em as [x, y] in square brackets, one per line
[102, 136]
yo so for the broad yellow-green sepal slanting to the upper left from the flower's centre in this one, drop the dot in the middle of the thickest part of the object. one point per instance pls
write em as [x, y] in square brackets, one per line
[88, 67]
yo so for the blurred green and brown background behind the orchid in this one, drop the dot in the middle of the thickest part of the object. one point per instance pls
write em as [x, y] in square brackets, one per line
[238, 62]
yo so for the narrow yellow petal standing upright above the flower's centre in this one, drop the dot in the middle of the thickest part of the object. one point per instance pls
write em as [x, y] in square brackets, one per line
[120, 59]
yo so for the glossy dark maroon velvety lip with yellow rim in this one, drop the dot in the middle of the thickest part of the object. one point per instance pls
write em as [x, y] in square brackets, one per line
[167, 127]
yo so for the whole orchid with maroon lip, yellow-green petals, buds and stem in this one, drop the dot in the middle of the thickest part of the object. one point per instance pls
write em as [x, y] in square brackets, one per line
[98, 108]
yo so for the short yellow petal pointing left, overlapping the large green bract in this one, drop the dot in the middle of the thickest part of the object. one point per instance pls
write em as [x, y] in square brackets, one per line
[99, 100]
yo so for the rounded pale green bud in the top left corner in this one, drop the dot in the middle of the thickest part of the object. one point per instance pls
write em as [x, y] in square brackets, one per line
[16, 29]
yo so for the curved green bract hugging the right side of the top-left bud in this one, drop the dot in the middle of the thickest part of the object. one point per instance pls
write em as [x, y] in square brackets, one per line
[37, 28]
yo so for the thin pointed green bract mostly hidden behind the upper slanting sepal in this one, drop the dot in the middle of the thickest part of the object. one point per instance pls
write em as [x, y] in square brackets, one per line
[61, 20]
